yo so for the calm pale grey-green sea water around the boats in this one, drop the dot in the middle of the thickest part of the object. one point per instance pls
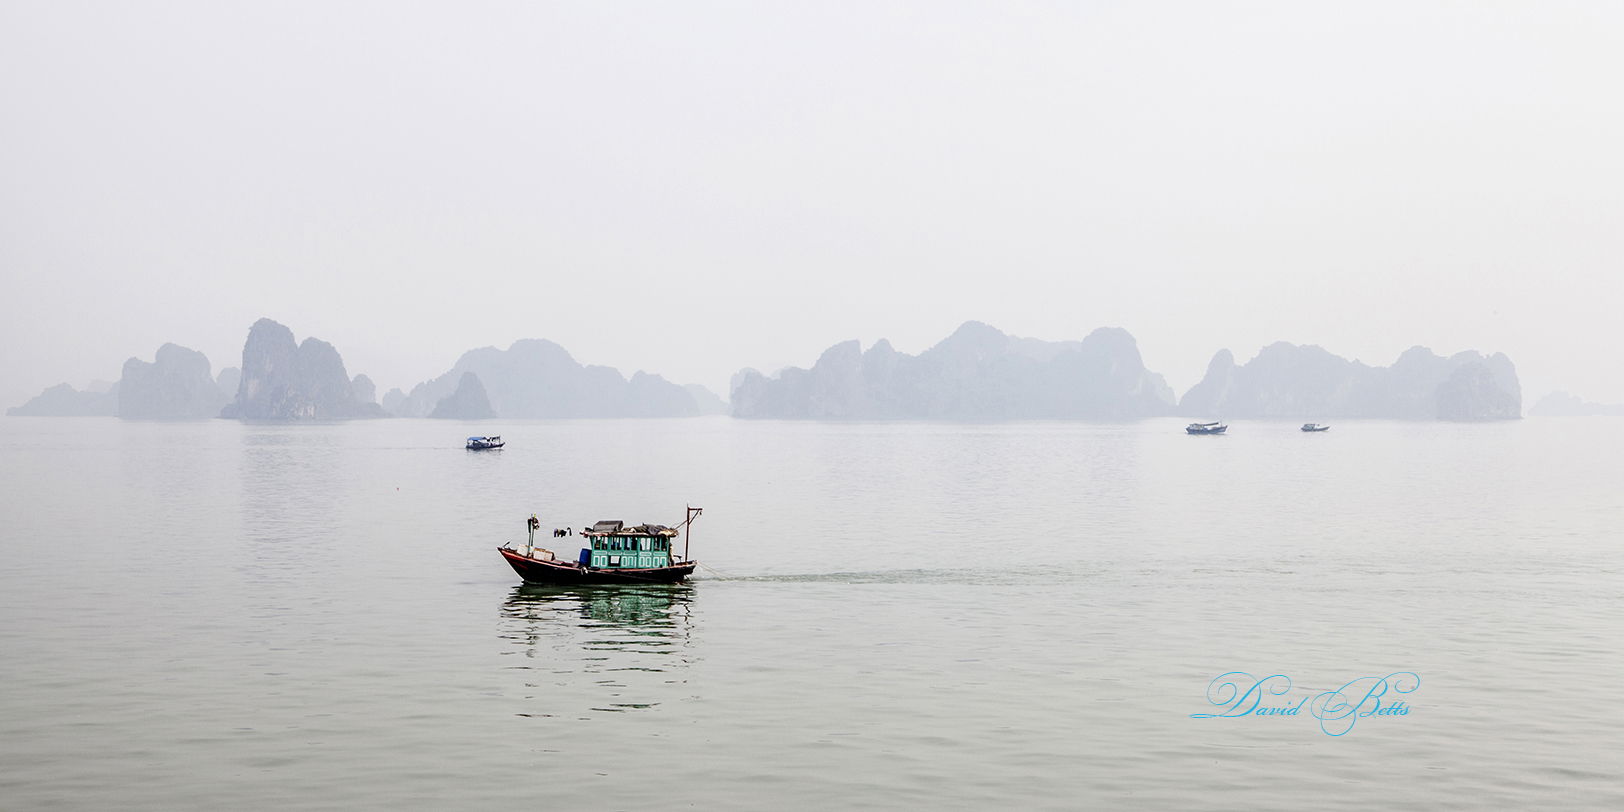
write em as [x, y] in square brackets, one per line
[962, 616]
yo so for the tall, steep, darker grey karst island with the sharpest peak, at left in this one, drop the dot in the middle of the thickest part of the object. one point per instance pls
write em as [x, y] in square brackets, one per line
[287, 381]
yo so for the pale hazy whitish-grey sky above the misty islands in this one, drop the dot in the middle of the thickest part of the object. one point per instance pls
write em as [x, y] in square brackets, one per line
[698, 188]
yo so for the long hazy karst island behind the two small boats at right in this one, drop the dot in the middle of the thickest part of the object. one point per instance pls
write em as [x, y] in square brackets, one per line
[1290, 381]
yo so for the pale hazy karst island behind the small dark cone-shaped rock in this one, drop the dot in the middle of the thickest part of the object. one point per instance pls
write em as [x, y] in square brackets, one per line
[540, 379]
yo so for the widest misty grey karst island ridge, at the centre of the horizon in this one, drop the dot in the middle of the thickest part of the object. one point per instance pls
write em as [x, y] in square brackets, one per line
[978, 373]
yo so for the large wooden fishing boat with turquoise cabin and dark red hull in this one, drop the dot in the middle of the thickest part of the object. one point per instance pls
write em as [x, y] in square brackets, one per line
[615, 553]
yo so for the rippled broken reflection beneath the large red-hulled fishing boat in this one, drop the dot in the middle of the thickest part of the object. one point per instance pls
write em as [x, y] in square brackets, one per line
[598, 649]
